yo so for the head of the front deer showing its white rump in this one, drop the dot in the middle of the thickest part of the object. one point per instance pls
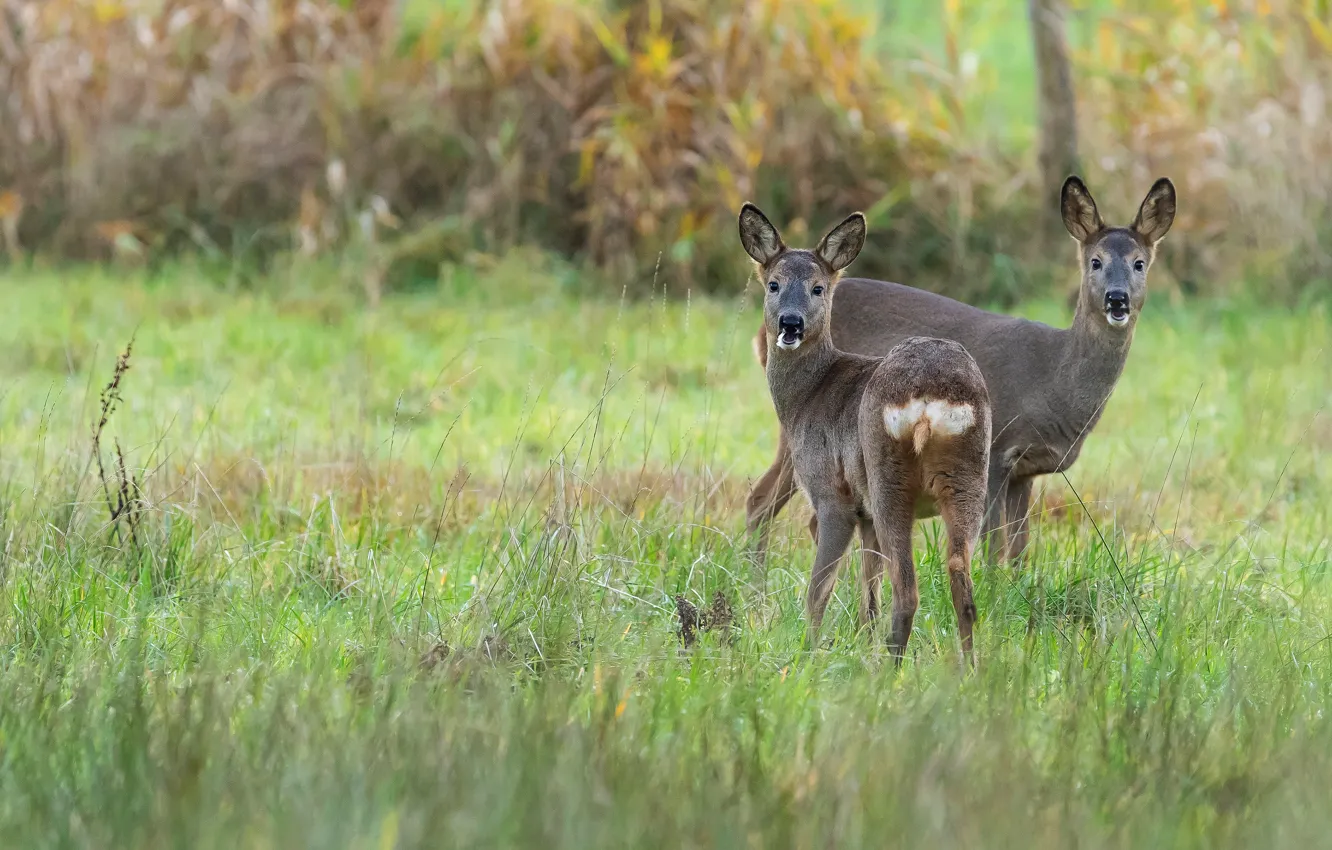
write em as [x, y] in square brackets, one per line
[797, 307]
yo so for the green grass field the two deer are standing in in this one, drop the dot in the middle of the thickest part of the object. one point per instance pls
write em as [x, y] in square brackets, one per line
[407, 579]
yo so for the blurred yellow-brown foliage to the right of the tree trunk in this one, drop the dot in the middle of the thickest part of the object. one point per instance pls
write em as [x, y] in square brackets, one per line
[1233, 102]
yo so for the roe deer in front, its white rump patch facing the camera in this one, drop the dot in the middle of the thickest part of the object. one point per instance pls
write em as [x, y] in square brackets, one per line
[874, 440]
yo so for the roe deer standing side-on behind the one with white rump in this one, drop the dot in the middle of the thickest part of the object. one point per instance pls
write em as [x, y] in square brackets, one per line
[1048, 386]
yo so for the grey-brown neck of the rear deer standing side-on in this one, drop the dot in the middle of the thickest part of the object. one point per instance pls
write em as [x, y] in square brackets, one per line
[1093, 360]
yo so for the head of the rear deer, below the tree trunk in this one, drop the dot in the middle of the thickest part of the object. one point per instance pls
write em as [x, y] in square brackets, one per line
[1116, 260]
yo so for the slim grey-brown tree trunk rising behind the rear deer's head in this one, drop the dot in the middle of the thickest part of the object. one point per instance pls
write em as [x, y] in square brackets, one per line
[1058, 105]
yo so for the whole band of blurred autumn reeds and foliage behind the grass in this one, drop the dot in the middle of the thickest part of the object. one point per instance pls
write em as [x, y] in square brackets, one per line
[627, 134]
